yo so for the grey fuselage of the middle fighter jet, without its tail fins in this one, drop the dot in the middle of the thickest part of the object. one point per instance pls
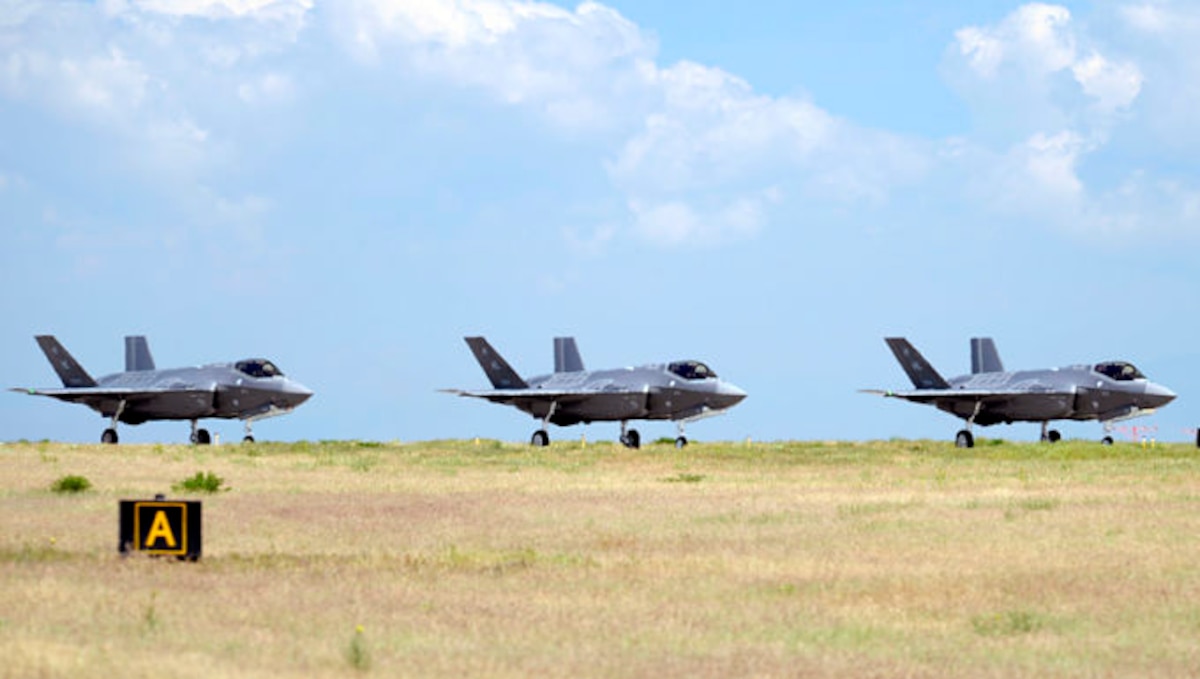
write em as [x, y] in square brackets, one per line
[681, 390]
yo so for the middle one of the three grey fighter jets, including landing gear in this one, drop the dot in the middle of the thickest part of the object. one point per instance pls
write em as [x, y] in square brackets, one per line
[681, 392]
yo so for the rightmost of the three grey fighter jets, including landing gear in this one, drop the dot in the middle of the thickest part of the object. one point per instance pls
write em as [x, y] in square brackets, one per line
[1108, 392]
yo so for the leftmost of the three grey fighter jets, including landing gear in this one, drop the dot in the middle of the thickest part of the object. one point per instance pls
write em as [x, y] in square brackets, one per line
[248, 390]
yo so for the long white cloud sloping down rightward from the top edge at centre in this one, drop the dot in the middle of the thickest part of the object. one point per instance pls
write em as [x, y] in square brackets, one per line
[704, 158]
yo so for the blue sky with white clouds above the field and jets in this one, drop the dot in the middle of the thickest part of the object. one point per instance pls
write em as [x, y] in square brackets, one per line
[351, 188]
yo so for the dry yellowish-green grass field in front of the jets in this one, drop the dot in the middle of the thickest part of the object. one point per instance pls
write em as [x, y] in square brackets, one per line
[489, 560]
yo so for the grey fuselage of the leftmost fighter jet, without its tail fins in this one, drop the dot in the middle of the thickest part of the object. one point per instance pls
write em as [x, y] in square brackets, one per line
[242, 390]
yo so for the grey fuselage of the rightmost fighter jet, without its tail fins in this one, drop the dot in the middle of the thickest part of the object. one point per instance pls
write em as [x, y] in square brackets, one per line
[1103, 392]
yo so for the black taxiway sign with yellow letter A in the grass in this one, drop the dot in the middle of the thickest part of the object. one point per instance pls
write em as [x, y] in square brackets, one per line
[161, 527]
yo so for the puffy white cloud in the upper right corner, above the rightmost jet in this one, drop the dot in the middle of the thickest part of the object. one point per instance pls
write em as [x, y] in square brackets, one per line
[1047, 98]
